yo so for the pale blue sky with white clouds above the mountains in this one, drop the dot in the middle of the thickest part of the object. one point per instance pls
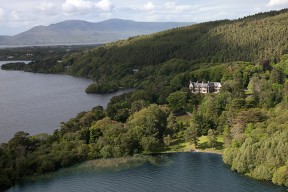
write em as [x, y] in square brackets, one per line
[20, 15]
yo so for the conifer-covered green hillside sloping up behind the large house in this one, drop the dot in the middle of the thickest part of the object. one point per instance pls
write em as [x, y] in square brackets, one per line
[252, 39]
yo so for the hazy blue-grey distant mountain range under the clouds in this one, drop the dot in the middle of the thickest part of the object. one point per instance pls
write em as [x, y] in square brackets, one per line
[83, 32]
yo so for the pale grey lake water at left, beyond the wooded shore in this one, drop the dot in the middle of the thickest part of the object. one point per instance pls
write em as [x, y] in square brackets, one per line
[38, 103]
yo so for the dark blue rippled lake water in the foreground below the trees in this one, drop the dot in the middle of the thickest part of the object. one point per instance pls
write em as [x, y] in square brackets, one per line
[183, 172]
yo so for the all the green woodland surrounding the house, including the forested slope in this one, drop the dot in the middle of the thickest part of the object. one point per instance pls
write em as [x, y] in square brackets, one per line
[247, 55]
